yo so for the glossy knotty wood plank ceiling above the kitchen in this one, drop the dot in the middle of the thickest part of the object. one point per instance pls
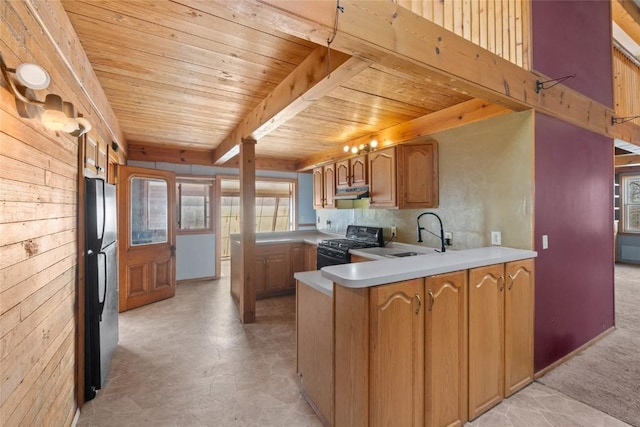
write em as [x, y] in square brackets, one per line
[185, 73]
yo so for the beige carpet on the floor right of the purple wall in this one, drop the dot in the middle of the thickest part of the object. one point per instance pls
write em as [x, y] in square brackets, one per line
[607, 374]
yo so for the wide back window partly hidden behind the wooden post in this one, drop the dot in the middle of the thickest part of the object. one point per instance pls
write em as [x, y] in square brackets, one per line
[274, 208]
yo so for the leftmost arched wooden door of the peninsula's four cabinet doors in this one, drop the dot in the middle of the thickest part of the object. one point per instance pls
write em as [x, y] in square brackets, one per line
[396, 347]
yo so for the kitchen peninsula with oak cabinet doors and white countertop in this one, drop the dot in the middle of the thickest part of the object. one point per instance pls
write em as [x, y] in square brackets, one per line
[432, 339]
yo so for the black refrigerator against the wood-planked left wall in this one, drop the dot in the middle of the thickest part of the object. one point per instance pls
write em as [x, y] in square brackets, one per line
[101, 282]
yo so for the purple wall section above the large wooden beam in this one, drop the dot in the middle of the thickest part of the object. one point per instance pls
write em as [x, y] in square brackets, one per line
[574, 37]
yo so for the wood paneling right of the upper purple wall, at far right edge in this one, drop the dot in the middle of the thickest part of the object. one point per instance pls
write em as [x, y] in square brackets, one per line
[626, 86]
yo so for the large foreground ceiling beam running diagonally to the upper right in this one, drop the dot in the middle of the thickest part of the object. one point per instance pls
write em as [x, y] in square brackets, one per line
[393, 36]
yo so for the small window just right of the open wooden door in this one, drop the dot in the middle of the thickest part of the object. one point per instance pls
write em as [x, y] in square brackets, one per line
[194, 204]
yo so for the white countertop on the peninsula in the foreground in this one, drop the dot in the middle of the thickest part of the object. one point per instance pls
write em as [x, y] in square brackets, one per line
[389, 270]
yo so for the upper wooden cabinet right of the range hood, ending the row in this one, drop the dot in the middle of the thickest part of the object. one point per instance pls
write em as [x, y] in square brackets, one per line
[404, 176]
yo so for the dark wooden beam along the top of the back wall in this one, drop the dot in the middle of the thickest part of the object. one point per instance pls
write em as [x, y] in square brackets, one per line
[199, 156]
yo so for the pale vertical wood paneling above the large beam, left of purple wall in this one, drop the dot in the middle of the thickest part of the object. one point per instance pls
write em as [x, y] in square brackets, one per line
[500, 26]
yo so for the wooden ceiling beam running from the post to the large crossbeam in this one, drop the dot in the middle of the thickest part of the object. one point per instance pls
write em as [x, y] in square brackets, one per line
[317, 75]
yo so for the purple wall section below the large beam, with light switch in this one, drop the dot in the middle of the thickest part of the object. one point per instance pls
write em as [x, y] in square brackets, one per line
[573, 206]
